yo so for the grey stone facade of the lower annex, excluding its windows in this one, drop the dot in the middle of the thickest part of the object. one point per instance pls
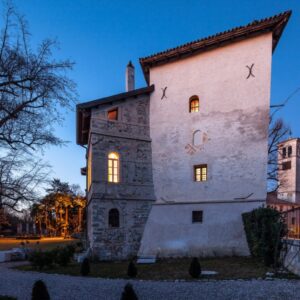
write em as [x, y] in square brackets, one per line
[133, 195]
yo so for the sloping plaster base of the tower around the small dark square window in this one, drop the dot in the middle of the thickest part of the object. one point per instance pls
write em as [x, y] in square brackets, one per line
[170, 232]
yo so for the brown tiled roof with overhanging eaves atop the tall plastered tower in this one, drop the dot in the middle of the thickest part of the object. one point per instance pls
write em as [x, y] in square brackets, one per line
[273, 24]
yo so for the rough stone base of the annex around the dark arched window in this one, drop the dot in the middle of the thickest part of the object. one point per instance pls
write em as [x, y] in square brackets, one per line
[122, 242]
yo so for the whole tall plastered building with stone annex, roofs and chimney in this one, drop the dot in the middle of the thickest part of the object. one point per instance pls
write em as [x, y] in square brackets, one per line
[172, 166]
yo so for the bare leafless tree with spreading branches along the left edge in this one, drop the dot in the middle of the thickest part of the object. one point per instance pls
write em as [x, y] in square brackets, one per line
[34, 89]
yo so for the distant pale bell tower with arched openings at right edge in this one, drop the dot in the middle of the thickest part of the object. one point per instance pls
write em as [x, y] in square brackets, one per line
[289, 170]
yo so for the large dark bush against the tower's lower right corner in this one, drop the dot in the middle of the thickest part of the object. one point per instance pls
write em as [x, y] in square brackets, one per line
[264, 229]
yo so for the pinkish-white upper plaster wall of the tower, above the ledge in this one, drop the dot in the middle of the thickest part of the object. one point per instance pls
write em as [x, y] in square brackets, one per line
[232, 123]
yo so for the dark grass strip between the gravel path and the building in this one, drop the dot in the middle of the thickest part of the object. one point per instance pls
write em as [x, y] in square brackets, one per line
[172, 269]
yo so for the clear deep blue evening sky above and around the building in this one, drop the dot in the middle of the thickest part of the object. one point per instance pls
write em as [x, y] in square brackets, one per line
[102, 36]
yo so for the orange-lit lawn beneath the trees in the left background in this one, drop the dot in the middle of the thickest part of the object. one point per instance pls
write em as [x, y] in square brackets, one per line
[44, 243]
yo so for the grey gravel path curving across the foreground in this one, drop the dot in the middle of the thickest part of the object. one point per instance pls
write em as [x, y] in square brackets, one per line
[19, 284]
